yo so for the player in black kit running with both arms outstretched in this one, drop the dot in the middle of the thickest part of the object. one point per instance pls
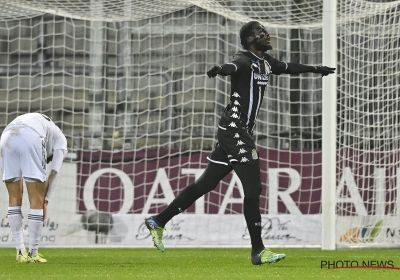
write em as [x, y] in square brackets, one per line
[250, 71]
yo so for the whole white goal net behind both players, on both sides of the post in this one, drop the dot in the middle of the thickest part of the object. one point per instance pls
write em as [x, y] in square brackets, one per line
[126, 82]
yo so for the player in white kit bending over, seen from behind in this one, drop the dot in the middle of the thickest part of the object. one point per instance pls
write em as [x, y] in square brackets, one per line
[27, 144]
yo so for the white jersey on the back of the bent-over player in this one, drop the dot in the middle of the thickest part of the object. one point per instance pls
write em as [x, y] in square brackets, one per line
[45, 127]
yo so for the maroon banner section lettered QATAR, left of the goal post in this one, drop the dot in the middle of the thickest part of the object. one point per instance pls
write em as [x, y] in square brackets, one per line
[291, 180]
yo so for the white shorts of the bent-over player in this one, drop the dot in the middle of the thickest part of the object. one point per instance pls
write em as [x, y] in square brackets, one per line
[23, 154]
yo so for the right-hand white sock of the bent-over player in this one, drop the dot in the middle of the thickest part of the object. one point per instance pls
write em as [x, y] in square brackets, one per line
[35, 228]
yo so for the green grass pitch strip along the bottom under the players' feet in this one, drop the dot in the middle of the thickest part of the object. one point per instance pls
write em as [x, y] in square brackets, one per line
[192, 263]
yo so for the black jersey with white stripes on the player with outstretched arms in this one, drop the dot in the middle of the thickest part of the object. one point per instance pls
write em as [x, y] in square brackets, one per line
[248, 84]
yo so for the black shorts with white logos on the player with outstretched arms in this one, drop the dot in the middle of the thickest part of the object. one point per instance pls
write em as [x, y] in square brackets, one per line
[235, 145]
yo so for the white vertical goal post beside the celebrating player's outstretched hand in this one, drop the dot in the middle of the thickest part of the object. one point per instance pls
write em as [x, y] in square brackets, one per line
[329, 100]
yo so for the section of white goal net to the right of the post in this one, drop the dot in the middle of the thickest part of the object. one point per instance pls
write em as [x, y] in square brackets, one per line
[368, 194]
